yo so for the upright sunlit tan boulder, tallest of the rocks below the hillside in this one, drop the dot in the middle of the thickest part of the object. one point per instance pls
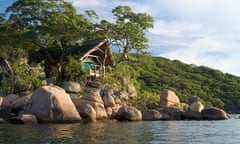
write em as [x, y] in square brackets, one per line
[168, 98]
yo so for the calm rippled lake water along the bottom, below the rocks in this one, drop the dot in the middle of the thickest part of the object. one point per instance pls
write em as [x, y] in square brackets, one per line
[156, 132]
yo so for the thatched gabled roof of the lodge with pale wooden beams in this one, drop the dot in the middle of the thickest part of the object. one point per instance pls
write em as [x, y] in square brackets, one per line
[99, 50]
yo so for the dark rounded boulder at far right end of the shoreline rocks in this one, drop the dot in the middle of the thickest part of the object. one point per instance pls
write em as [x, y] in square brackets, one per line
[214, 113]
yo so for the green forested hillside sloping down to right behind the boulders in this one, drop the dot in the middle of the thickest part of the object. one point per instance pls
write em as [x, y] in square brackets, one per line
[153, 74]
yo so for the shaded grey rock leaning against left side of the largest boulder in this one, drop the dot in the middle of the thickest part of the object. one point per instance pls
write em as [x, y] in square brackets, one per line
[20, 104]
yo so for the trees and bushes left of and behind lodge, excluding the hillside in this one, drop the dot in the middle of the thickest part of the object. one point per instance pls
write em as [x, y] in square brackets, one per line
[40, 31]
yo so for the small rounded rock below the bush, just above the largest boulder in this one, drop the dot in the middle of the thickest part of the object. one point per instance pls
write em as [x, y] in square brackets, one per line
[71, 87]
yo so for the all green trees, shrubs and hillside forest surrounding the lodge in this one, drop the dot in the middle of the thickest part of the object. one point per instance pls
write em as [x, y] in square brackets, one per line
[37, 32]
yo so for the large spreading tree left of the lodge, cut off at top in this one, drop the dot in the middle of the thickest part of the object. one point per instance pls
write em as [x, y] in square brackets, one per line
[49, 26]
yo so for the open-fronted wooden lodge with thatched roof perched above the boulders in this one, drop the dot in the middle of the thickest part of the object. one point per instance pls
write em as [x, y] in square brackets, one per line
[95, 55]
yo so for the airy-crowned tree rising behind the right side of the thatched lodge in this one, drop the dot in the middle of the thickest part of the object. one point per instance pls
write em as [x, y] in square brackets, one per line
[128, 31]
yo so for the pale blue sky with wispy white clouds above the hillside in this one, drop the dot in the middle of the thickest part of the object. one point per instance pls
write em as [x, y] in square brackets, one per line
[200, 32]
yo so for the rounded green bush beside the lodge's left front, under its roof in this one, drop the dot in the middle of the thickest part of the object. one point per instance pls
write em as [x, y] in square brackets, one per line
[73, 70]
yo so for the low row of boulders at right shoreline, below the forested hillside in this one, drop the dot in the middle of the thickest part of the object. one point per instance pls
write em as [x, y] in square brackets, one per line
[170, 109]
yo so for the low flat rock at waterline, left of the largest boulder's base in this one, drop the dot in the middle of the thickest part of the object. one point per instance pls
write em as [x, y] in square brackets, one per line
[23, 119]
